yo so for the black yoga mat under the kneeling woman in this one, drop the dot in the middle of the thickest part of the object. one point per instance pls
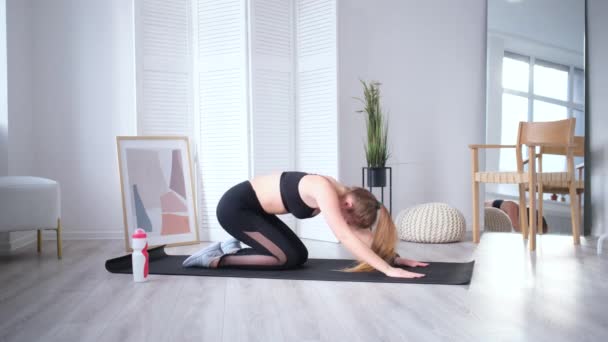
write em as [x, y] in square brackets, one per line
[448, 273]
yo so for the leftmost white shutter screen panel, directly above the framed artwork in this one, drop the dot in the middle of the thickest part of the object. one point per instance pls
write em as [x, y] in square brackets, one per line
[163, 45]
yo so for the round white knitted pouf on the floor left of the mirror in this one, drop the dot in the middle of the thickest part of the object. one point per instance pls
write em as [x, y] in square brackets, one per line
[431, 223]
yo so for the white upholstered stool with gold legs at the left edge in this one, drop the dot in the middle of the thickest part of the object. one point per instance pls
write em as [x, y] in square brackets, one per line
[28, 203]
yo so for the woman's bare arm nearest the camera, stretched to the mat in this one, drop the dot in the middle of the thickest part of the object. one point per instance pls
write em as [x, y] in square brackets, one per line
[328, 202]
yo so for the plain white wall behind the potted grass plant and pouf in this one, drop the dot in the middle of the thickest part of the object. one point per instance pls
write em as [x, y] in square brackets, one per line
[430, 58]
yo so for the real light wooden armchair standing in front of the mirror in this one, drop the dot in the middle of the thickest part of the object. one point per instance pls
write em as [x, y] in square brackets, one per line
[533, 135]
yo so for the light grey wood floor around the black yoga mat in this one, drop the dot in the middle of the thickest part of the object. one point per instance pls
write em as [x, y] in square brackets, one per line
[559, 293]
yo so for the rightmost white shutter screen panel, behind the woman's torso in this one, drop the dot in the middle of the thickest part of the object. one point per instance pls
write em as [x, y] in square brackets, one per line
[316, 98]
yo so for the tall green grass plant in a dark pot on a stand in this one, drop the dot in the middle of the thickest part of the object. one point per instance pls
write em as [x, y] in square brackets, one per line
[376, 148]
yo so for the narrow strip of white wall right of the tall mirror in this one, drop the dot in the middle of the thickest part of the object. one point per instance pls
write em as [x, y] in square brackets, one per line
[598, 111]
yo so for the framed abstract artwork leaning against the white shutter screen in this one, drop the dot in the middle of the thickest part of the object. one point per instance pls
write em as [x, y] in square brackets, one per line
[157, 189]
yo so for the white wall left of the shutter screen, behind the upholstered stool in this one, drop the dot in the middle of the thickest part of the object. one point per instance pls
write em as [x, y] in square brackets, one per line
[72, 93]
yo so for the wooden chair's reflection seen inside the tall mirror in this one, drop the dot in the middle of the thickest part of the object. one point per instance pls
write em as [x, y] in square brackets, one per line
[559, 182]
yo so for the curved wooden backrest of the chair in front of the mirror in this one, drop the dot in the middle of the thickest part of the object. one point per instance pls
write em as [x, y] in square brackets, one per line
[559, 134]
